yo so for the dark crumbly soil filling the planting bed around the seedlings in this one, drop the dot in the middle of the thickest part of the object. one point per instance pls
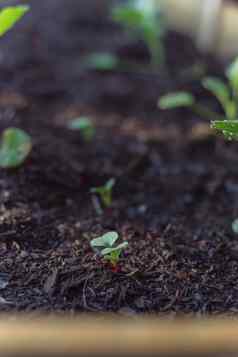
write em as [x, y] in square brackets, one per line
[177, 184]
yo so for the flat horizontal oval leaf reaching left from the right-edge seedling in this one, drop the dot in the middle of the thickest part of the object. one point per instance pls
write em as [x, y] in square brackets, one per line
[176, 100]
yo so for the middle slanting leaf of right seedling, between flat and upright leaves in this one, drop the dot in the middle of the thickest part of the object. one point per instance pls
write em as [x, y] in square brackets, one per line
[219, 89]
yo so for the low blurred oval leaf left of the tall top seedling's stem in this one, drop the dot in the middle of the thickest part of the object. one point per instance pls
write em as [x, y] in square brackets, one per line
[101, 61]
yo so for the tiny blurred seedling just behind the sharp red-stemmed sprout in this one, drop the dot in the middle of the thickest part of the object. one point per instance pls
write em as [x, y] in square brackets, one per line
[105, 195]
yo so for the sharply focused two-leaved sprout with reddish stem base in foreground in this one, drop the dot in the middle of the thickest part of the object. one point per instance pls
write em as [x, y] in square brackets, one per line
[105, 246]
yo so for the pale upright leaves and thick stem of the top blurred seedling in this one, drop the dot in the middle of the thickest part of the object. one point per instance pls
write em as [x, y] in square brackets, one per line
[144, 19]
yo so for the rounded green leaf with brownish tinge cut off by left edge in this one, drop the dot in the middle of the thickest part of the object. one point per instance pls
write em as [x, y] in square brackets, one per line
[15, 147]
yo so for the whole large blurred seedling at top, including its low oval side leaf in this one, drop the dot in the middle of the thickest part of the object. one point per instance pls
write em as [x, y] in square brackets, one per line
[141, 19]
